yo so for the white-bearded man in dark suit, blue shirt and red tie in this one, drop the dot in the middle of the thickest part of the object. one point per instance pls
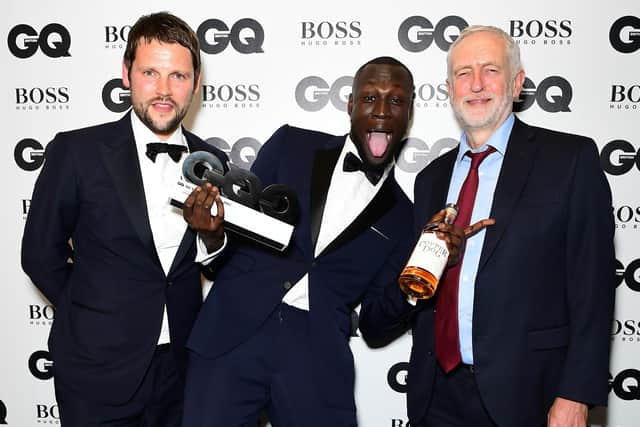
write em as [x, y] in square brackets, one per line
[519, 336]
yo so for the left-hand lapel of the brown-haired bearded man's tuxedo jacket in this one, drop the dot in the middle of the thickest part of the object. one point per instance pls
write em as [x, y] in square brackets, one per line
[120, 157]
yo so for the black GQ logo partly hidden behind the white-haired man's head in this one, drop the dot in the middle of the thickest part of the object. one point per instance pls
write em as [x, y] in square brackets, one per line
[553, 95]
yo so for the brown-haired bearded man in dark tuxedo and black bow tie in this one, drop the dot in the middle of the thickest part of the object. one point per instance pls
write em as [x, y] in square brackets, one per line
[103, 244]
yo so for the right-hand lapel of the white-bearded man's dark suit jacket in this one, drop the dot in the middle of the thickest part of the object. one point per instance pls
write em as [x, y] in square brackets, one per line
[516, 166]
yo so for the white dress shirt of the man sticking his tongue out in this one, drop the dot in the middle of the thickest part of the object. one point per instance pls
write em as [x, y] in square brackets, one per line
[348, 195]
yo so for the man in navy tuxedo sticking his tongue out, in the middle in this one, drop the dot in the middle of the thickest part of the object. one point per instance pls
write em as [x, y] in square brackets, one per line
[274, 331]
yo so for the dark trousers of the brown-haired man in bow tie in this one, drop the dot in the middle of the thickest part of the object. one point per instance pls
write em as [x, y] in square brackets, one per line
[157, 403]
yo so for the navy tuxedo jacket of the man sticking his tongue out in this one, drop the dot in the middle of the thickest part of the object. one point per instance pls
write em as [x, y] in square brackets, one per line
[252, 279]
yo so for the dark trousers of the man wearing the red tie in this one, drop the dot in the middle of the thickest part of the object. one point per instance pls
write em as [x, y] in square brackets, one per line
[456, 401]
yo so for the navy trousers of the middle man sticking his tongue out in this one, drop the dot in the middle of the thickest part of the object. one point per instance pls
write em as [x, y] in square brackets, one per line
[271, 371]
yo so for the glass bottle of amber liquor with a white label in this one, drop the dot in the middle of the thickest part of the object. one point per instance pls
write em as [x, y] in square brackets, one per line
[419, 278]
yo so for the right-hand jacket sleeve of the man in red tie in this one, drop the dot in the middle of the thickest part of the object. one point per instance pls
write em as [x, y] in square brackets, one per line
[590, 282]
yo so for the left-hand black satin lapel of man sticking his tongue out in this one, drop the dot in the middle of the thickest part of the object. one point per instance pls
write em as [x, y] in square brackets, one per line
[323, 165]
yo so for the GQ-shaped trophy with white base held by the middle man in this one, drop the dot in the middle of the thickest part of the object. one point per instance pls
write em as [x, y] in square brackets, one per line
[266, 215]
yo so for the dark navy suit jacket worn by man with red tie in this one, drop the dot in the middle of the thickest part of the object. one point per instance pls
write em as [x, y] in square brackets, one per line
[545, 286]
